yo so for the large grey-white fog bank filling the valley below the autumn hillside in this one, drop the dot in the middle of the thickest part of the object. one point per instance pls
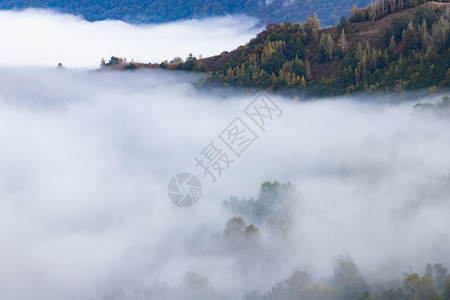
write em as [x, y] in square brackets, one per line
[86, 157]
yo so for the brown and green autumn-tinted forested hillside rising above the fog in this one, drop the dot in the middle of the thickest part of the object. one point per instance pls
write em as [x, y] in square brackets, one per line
[392, 45]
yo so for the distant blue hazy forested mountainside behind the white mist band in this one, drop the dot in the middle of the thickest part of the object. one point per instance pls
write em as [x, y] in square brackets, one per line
[136, 11]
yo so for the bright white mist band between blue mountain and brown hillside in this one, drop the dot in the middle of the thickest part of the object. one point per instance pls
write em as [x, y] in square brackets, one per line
[45, 38]
